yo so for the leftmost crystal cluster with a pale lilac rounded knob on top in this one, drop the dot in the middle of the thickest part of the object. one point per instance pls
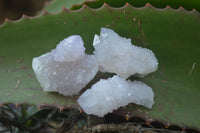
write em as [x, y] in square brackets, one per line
[66, 69]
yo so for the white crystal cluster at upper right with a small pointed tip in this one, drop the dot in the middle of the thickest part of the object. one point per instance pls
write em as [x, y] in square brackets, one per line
[116, 54]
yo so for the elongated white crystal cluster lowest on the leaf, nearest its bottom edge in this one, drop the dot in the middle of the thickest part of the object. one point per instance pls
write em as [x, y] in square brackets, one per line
[110, 94]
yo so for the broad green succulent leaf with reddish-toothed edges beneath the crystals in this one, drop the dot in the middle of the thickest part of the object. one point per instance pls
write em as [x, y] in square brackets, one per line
[173, 35]
